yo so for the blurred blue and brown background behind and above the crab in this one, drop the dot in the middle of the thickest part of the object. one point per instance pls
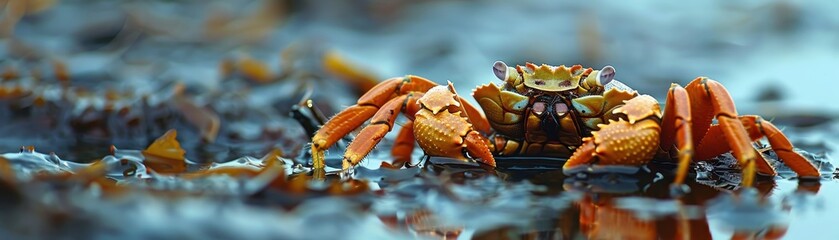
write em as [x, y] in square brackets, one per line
[122, 72]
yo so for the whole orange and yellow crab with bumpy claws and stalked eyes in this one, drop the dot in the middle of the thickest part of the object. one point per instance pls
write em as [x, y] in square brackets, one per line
[585, 115]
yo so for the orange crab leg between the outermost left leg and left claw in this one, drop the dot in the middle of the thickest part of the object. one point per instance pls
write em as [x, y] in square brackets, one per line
[380, 124]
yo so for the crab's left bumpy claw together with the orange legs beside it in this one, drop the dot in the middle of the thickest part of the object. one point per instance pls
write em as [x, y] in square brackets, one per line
[439, 120]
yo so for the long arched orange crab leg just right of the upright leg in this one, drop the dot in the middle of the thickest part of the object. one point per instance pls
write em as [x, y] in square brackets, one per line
[703, 91]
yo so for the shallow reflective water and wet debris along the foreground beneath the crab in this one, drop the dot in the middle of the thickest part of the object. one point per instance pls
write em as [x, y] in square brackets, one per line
[439, 198]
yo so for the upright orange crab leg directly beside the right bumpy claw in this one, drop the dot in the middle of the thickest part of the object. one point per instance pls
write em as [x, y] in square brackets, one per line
[676, 129]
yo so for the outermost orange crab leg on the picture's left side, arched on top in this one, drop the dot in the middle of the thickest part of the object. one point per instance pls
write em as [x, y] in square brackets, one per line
[351, 118]
